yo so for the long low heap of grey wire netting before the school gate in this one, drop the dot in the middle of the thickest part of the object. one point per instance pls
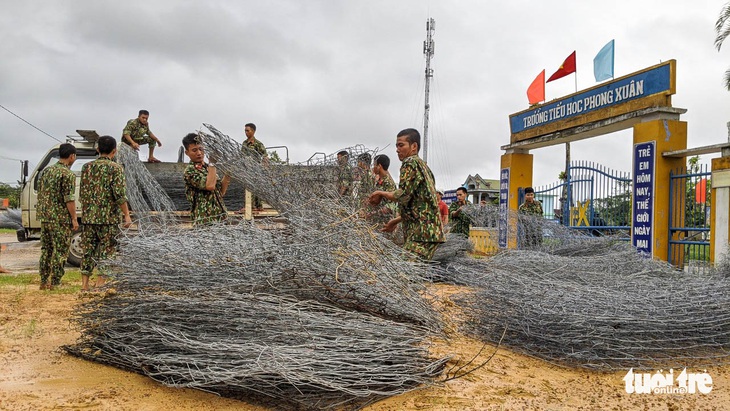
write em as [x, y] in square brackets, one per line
[599, 305]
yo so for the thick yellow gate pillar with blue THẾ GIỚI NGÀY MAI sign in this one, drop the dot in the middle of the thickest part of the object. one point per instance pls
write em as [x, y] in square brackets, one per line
[650, 199]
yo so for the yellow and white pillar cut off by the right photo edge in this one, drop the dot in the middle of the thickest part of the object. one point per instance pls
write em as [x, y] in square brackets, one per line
[720, 208]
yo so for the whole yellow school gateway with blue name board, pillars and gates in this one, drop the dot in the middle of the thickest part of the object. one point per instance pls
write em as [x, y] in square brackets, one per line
[641, 101]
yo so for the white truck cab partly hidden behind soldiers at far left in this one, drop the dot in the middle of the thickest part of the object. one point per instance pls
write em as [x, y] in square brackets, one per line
[85, 144]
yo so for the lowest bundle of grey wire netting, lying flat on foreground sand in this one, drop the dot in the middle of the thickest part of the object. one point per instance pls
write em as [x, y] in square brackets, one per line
[243, 345]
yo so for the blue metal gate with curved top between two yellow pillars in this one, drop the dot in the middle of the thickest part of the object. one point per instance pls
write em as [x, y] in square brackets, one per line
[590, 197]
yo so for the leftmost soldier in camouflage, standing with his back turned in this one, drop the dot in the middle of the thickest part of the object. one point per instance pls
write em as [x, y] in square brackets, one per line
[57, 214]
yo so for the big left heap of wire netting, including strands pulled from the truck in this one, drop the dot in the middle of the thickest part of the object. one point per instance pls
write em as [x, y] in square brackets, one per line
[312, 309]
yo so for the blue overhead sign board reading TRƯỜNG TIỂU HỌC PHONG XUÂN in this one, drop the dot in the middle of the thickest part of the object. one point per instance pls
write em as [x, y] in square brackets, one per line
[651, 87]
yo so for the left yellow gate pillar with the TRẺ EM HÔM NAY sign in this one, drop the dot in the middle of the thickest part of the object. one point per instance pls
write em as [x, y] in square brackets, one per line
[518, 166]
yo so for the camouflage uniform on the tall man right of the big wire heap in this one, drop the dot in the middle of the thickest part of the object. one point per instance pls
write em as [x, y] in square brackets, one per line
[418, 206]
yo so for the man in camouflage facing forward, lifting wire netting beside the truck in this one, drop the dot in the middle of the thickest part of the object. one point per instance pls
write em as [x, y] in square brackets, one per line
[203, 188]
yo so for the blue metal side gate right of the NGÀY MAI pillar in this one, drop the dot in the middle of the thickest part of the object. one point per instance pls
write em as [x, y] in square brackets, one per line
[689, 221]
